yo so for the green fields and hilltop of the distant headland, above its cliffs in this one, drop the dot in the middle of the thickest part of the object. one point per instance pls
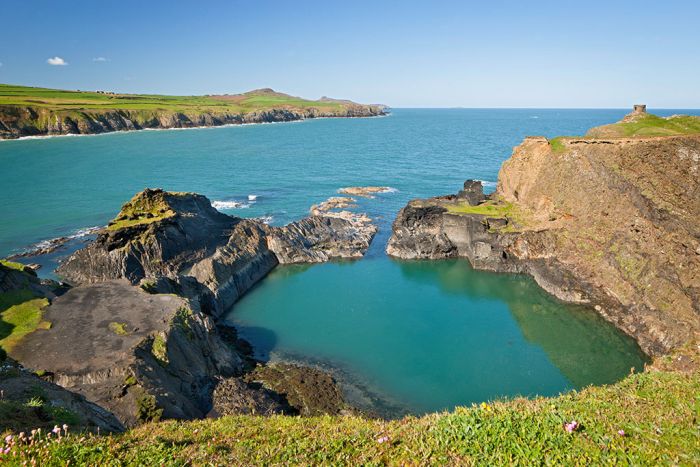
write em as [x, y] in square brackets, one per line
[58, 100]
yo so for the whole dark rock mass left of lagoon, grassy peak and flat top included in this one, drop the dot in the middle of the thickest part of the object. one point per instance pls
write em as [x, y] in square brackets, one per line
[139, 335]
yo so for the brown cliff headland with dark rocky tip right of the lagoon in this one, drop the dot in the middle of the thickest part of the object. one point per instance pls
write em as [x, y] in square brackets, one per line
[611, 222]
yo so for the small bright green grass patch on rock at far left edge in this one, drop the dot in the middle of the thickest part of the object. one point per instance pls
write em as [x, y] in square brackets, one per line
[20, 314]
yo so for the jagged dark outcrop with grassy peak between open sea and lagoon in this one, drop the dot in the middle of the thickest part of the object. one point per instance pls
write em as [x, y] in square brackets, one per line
[178, 243]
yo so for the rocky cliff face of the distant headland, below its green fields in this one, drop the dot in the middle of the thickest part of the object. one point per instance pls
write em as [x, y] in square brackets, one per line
[18, 121]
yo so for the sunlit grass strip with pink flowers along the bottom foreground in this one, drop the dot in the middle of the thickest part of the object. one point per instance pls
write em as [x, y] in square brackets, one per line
[657, 411]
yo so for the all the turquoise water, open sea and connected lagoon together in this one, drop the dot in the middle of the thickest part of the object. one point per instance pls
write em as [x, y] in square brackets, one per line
[403, 337]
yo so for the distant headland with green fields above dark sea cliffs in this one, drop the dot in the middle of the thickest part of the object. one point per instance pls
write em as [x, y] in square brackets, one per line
[30, 111]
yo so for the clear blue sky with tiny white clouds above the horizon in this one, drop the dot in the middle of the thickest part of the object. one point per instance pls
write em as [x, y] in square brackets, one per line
[597, 54]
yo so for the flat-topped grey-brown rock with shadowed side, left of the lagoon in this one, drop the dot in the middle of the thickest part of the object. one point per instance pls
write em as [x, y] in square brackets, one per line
[120, 346]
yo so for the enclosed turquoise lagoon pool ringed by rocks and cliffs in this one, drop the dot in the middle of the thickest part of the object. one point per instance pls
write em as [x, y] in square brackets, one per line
[422, 336]
